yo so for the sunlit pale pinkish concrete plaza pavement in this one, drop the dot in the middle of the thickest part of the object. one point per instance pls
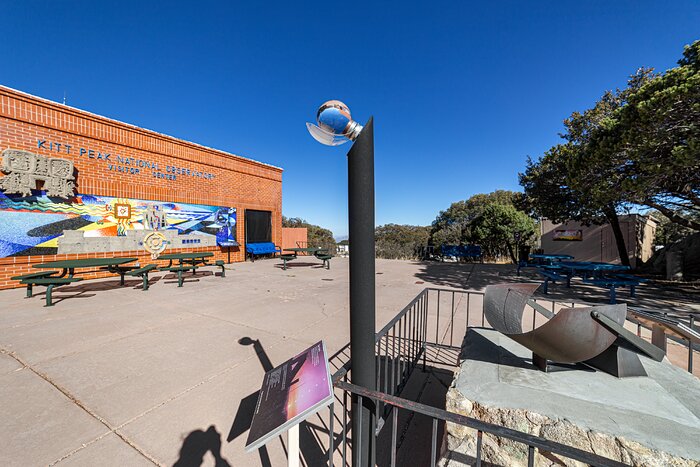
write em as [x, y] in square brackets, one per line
[117, 376]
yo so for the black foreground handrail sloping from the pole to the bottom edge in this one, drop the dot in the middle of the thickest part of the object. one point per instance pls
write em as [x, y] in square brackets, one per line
[500, 431]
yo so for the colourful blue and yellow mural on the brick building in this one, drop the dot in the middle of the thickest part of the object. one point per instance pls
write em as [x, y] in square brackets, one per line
[33, 225]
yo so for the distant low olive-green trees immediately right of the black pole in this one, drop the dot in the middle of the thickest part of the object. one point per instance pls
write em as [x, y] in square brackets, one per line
[395, 241]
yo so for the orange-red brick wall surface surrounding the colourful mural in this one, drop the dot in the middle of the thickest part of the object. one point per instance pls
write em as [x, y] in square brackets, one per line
[238, 182]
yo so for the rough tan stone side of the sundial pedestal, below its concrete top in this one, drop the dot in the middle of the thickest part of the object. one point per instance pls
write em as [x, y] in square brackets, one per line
[461, 441]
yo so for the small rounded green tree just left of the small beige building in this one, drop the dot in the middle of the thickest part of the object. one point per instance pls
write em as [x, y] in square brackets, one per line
[502, 226]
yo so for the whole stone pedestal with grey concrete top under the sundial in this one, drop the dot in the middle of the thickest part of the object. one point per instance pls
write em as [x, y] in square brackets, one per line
[640, 421]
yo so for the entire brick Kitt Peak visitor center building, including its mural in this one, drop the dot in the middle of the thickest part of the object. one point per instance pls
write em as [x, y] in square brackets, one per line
[126, 181]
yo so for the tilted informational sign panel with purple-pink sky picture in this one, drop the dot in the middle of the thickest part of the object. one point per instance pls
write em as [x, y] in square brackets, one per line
[290, 393]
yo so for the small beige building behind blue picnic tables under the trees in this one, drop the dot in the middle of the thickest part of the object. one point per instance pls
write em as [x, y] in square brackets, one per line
[597, 242]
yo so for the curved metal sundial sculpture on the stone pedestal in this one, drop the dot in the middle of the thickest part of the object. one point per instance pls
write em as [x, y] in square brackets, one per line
[594, 335]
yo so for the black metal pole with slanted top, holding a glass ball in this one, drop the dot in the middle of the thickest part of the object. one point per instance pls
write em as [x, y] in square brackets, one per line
[362, 300]
